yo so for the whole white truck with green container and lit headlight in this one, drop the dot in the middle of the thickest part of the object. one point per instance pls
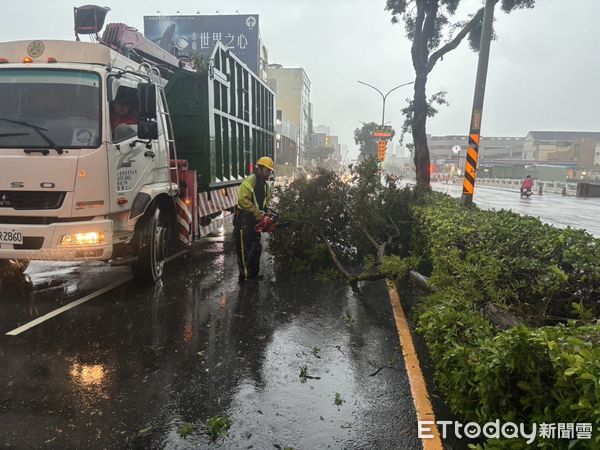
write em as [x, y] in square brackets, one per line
[78, 182]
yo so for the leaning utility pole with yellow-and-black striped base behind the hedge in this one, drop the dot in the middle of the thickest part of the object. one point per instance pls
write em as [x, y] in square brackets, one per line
[475, 130]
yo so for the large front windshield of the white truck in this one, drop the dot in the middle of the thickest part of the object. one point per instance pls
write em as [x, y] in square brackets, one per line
[49, 109]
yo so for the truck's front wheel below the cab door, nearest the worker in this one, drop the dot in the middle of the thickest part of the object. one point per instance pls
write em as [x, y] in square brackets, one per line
[152, 247]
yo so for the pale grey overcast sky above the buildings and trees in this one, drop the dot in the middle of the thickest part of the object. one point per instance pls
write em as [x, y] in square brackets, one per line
[543, 74]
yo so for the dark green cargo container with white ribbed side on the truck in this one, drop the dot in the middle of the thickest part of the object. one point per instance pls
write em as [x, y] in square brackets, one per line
[223, 119]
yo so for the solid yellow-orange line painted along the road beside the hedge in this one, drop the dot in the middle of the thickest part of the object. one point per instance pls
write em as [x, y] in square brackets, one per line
[418, 388]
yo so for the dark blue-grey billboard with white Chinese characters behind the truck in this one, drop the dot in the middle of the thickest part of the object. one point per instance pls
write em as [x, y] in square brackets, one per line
[197, 35]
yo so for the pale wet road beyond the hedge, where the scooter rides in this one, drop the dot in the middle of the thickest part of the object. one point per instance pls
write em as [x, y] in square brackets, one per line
[554, 209]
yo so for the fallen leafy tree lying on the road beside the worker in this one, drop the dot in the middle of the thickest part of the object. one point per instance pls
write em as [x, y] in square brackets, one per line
[338, 224]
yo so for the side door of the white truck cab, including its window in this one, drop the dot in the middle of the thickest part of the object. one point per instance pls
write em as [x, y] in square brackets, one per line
[131, 163]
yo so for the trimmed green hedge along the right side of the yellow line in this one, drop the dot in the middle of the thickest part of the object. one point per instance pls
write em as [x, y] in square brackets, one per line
[546, 370]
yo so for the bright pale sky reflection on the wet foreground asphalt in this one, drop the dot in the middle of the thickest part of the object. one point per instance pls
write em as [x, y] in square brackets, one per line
[292, 411]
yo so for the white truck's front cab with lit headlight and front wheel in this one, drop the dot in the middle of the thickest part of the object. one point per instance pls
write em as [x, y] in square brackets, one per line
[84, 157]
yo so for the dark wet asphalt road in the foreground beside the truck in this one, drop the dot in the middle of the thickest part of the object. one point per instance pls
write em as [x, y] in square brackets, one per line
[130, 368]
